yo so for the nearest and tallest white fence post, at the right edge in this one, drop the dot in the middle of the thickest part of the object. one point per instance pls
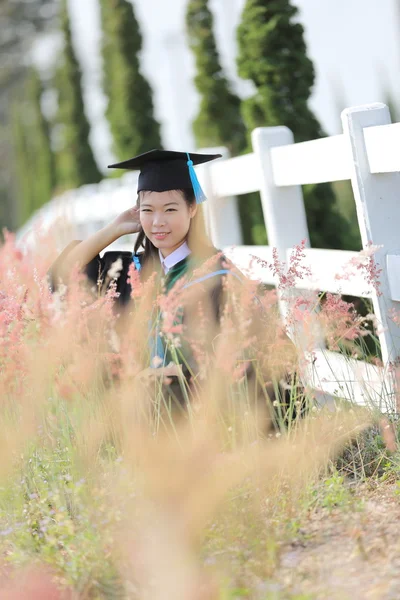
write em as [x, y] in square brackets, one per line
[377, 198]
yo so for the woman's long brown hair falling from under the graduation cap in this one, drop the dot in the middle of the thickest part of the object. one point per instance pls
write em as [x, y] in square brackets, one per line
[197, 239]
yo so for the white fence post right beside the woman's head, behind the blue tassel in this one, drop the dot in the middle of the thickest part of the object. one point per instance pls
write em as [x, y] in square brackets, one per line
[221, 214]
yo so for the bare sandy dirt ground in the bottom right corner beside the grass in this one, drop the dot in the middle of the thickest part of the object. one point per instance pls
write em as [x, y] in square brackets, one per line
[348, 555]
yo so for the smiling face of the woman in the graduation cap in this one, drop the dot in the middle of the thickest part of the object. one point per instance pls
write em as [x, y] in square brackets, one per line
[165, 218]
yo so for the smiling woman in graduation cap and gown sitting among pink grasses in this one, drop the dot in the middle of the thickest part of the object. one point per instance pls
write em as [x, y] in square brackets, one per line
[189, 278]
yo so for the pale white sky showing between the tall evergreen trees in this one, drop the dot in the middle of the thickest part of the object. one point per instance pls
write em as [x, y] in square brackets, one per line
[354, 44]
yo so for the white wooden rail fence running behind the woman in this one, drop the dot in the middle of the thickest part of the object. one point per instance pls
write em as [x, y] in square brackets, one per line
[368, 154]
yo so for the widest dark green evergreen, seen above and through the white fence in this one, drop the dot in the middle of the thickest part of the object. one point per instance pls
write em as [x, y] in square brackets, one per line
[273, 54]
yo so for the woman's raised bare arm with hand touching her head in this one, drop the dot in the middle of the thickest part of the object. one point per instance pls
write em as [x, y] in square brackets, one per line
[83, 252]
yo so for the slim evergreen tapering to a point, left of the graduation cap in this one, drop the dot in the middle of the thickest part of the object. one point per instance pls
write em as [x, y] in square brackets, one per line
[75, 163]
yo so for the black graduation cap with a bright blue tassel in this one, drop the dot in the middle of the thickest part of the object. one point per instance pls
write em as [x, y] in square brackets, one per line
[164, 170]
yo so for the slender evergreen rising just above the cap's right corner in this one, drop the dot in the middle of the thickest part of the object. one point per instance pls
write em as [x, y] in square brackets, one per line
[219, 121]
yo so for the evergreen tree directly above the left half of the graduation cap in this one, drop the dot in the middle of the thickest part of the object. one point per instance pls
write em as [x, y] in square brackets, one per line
[130, 110]
